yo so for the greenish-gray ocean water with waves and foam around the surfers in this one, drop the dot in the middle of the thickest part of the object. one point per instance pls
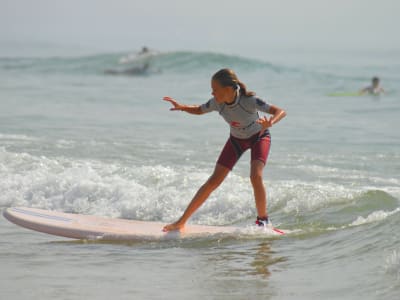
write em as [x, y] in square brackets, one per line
[74, 139]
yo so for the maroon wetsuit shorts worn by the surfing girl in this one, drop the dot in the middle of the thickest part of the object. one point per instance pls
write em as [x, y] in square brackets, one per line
[235, 147]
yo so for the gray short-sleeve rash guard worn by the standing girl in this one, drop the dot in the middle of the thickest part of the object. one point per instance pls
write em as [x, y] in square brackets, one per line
[241, 115]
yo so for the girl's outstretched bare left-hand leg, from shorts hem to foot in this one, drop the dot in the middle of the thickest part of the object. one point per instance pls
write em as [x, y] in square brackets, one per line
[218, 176]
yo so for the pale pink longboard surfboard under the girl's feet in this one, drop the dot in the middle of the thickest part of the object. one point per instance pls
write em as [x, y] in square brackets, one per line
[79, 226]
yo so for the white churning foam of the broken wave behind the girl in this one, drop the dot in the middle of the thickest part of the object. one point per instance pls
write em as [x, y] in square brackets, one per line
[153, 192]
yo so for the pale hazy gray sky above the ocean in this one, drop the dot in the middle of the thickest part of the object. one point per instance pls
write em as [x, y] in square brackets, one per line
[218, 25]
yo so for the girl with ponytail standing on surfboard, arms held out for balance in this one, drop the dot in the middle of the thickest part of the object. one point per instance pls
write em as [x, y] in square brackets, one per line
[239, 108]
